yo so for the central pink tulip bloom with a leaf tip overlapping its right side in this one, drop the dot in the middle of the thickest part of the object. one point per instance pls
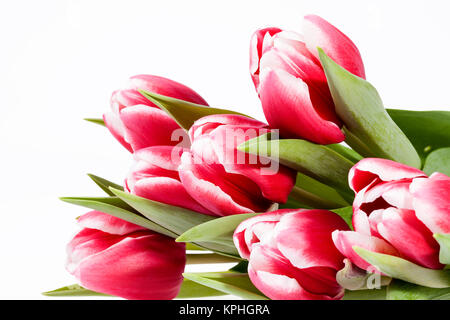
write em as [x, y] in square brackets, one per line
[227, 181]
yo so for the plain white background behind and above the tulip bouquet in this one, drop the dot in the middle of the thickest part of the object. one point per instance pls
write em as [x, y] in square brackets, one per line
[60, 61]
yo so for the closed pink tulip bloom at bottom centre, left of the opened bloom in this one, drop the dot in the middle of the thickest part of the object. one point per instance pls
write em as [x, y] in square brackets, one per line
[291, 253]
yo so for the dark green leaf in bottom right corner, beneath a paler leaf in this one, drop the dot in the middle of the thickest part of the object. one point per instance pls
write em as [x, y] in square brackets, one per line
[400, 290]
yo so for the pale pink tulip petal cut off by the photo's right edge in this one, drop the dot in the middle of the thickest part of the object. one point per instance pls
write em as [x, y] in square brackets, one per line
[431, 202]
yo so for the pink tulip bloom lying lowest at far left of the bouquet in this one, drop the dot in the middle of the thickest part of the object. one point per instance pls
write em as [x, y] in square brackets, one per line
[112, 256]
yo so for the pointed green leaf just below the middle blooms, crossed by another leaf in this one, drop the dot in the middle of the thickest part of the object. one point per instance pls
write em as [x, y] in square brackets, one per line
[176, 219]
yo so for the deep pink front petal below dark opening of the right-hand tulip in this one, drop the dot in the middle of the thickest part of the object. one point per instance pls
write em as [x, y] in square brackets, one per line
[410, 237]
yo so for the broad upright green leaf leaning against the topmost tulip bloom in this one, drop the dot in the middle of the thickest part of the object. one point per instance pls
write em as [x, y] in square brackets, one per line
[369, 129]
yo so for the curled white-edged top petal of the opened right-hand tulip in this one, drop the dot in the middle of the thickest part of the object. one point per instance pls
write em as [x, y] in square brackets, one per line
[368, 169]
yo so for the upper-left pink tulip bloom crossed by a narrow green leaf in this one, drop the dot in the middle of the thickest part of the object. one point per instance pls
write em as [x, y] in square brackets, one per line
[137, 123]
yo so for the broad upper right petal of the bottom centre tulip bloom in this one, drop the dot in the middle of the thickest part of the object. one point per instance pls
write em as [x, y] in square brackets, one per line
[304, 238]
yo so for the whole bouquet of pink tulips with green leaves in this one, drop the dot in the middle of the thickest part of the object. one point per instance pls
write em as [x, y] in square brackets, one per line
[335, 197]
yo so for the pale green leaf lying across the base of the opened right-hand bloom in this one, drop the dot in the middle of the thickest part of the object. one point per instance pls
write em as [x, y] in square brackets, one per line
[402, 269]
